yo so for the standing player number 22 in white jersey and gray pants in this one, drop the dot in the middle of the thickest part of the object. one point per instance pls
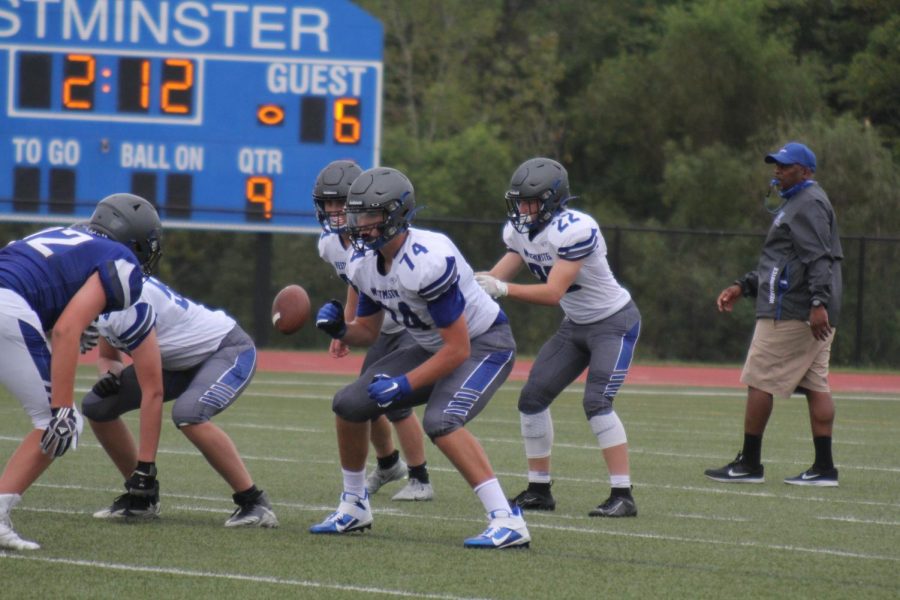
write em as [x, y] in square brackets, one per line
[565, 250]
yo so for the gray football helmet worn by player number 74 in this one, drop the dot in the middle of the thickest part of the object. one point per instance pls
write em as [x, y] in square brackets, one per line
[379, 207]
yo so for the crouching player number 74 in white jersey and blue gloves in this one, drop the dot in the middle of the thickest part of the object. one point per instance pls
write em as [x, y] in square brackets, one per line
[464, 351]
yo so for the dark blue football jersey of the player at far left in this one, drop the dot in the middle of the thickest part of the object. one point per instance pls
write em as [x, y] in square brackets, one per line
[49, 267]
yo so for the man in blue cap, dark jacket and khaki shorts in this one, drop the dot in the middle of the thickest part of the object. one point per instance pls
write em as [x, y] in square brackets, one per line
[797, 285]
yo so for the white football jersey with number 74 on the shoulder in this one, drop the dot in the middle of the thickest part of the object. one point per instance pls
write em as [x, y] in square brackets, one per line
[425, 267]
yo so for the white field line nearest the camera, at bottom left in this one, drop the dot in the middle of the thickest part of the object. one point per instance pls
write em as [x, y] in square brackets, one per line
[305, 583]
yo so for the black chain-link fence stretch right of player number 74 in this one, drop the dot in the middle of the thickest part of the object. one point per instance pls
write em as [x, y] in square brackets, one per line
[675, 276]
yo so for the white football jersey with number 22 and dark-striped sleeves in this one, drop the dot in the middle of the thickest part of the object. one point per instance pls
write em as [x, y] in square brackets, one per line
[573, 235]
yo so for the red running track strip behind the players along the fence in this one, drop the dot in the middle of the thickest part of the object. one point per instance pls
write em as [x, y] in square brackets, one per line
[719, 377]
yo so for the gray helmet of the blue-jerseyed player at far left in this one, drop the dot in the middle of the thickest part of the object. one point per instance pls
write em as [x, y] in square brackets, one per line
[132, 221]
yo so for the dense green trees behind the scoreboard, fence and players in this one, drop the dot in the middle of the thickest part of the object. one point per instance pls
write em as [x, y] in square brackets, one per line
[661, 110]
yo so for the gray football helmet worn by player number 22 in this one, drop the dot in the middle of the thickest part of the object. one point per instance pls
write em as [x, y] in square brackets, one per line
[541, 179]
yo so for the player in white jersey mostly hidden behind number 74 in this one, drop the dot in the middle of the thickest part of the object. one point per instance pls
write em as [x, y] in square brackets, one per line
[329, 194]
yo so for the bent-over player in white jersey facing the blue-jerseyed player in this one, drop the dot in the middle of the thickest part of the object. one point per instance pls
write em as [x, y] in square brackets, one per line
[205, 361]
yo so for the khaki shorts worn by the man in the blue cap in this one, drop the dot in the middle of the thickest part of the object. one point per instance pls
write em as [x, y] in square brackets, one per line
[784, 356]
